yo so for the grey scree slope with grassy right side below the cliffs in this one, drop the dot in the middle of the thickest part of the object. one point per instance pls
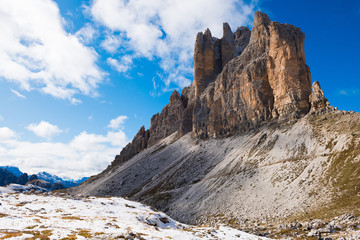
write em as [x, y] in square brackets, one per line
[304, 168]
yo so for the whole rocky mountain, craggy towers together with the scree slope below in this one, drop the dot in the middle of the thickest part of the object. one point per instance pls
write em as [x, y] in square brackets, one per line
[250, 138]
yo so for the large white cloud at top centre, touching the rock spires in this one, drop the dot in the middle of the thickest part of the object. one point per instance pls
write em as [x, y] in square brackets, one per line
[167, 28]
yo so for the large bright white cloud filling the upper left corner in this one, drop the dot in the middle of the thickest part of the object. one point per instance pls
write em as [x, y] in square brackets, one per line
[37, 53]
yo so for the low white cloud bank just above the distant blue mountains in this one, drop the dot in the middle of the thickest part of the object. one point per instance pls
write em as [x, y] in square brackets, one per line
[86, 154]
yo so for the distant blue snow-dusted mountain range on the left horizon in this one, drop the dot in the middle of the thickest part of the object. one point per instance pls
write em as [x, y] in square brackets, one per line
[11, 174]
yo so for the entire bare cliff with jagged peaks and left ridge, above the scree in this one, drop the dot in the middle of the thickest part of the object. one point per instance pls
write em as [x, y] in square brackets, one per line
[241, 81]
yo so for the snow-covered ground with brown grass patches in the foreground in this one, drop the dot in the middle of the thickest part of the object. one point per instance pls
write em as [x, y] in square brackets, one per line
[25, 216]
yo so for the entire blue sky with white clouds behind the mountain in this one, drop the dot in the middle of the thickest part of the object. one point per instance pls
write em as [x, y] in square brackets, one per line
[79, 78]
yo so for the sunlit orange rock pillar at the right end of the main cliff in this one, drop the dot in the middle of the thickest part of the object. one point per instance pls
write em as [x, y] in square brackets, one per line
[288, 74]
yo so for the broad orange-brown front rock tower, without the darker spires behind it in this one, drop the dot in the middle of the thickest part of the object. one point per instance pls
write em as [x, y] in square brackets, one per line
[269, 79]
